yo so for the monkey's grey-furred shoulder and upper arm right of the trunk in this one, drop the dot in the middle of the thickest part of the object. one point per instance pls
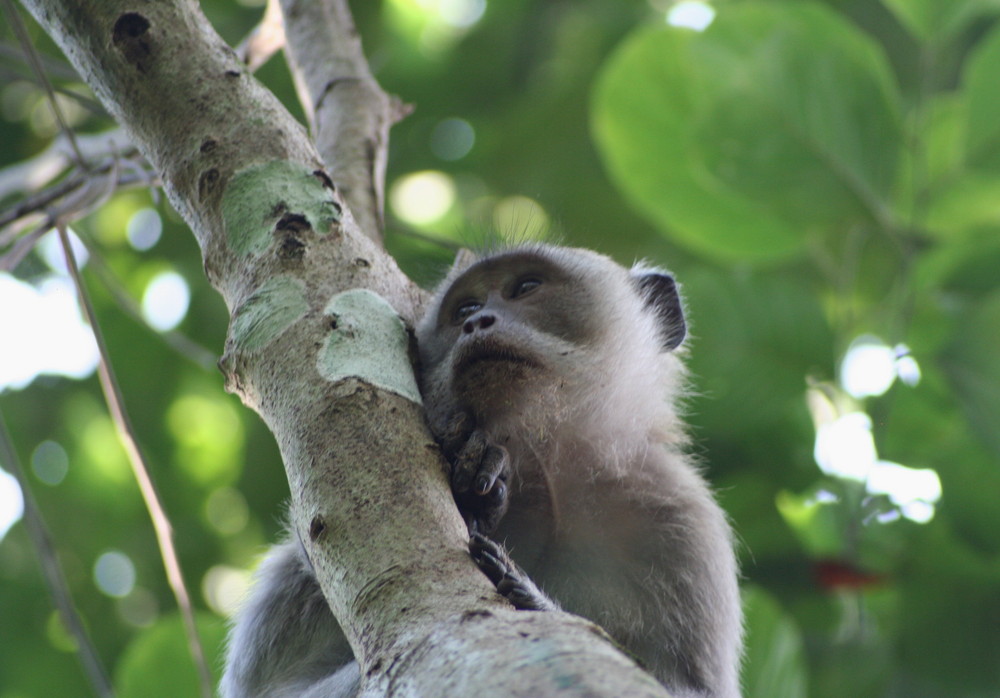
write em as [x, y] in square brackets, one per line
[651, 561]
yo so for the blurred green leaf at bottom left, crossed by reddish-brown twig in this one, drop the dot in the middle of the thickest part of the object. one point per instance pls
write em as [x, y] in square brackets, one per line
[158, 663]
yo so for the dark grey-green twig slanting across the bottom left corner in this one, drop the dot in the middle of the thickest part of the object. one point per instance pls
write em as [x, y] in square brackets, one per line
[52, 572]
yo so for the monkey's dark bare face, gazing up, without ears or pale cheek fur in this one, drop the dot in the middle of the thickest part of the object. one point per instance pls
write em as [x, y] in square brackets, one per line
[510, 328]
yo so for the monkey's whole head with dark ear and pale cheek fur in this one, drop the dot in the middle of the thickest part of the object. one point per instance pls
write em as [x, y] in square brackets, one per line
[542, 332]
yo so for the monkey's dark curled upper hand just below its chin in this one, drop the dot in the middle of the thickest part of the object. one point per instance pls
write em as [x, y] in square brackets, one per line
[479, 475]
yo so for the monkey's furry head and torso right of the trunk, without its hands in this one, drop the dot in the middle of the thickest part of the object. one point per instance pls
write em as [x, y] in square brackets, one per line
[607, 513]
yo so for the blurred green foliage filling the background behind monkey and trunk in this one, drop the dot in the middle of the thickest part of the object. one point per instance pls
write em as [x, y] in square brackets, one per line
[811, 171]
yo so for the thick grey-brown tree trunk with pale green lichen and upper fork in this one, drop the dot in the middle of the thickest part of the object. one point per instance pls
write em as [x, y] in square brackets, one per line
[317, 340]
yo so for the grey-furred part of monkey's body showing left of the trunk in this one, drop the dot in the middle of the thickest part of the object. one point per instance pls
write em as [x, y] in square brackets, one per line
[285, 641]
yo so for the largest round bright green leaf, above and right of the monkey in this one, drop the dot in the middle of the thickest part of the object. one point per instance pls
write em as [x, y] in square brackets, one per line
[776, 122]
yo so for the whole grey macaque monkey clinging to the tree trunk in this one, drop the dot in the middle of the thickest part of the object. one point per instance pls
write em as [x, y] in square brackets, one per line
[550, 377]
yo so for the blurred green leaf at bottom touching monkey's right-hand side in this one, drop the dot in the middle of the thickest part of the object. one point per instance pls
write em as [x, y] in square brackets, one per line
[775, 656]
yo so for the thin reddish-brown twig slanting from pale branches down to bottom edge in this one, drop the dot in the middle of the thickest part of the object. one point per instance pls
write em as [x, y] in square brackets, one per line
[161, 524]
